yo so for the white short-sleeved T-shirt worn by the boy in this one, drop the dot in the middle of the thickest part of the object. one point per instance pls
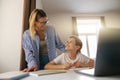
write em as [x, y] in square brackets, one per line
[64, 58]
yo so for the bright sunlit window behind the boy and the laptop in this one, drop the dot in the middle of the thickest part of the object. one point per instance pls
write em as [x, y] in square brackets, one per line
[87, 29]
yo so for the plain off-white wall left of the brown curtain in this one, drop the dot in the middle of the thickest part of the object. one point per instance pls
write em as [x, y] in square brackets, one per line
[10, 34]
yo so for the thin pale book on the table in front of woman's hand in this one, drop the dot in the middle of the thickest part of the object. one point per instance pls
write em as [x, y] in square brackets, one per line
[46, 72]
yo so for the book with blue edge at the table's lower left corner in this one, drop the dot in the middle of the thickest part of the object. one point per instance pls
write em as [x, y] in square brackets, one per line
[13, 75]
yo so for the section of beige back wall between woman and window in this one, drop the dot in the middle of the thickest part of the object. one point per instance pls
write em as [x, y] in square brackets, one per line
[62, 24]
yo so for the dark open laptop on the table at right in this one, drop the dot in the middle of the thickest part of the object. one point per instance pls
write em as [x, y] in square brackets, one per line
[107, 61]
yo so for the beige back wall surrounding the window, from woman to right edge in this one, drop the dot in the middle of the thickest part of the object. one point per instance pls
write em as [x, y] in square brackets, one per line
[63, 22]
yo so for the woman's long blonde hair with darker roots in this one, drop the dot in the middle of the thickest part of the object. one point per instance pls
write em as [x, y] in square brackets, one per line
[34, 16]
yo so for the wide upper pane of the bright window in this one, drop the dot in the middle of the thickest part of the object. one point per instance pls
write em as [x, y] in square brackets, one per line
[88, 26]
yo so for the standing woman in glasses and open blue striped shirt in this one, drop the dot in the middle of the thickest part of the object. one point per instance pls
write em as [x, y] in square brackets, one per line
[40, 41]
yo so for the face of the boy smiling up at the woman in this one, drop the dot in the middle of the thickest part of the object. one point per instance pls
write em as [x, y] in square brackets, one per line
[70, 45]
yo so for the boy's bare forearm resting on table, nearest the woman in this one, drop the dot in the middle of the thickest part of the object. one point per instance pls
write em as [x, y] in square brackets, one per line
[52, 65]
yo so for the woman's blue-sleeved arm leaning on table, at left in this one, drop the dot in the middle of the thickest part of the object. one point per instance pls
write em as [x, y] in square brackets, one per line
[29, 55]
